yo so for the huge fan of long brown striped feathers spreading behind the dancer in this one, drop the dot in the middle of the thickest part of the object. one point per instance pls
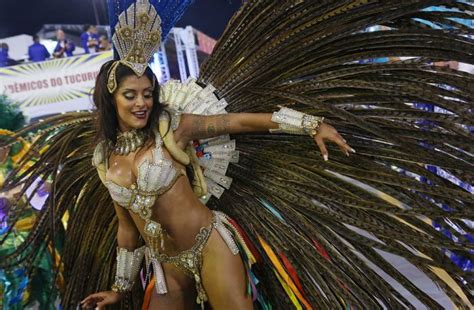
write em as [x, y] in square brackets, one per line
[323, 234]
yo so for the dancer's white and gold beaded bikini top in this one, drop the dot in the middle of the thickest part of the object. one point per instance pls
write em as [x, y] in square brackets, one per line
[155, 177]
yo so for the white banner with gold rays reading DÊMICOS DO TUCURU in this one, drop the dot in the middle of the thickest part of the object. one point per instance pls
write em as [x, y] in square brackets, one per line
[53, 86]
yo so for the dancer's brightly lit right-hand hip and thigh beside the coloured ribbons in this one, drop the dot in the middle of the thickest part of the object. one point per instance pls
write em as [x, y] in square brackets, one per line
[224, 276]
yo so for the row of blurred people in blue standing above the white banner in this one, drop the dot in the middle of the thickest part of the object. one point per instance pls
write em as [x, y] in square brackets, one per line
[91, 42]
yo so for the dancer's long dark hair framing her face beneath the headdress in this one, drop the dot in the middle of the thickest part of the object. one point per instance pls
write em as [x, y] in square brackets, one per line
[107, 119]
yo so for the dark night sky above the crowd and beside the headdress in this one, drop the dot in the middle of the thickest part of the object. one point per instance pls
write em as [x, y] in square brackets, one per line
[27, 16]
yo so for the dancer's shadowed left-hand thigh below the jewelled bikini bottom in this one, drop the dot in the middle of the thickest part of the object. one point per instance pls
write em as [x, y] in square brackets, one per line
[181, 291]
